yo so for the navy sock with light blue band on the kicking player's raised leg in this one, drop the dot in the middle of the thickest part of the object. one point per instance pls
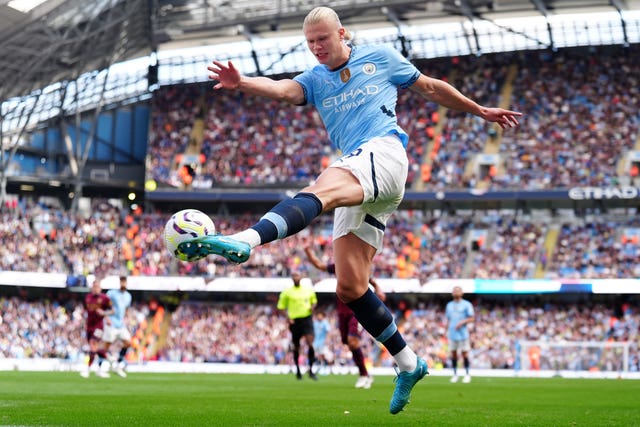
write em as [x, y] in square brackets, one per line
[288, 217]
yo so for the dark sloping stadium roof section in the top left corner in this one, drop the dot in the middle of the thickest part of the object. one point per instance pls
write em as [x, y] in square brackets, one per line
[60, 39]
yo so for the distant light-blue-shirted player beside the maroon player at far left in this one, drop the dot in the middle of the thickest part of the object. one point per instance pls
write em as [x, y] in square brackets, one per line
[116, 326]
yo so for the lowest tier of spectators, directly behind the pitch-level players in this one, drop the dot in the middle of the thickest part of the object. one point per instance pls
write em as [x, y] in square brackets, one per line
[258, 333]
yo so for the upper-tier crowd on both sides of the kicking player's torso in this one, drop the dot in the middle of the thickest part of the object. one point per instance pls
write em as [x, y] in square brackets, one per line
[593, 100]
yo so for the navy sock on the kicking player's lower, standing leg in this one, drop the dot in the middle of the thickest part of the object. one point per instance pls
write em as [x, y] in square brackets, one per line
[376, 319]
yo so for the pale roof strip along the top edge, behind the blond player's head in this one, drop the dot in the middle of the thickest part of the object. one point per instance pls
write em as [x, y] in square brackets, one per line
[184, 19]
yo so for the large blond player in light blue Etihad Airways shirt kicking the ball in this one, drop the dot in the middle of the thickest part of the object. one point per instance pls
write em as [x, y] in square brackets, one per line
[355, 91]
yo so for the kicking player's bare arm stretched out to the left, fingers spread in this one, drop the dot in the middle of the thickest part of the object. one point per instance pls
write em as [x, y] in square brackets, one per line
[228, 77]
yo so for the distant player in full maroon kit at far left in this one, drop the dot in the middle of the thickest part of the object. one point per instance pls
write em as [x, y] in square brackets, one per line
[97, 305]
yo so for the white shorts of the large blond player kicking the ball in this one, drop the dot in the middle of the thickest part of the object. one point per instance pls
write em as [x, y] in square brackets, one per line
[381, 166]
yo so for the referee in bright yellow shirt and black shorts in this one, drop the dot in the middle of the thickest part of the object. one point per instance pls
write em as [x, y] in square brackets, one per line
[299, 301]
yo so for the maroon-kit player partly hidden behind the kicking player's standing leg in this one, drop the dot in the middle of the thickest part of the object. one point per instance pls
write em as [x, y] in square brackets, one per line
[347, 322]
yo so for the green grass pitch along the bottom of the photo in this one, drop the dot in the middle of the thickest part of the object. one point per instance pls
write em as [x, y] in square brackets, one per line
[66, 399]
